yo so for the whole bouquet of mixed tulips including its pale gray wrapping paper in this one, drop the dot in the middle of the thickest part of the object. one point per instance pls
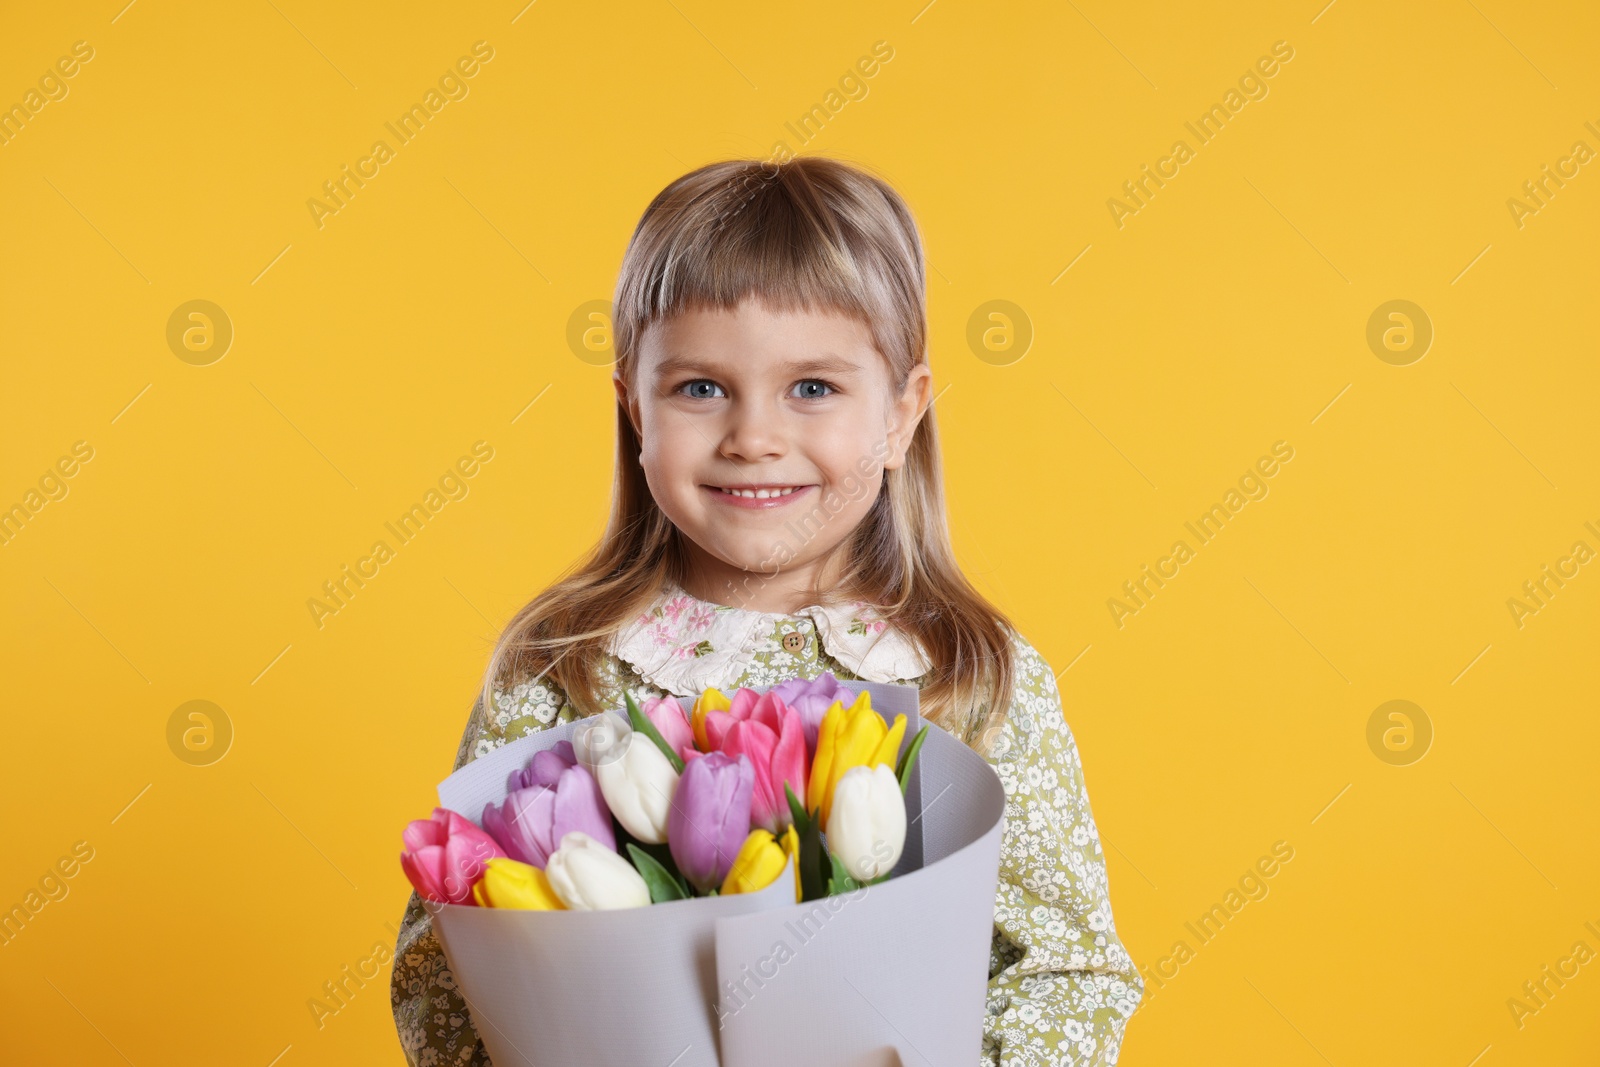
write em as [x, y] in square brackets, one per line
[758, 825]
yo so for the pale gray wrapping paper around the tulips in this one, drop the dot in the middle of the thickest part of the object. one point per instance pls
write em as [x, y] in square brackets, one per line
[889, 975]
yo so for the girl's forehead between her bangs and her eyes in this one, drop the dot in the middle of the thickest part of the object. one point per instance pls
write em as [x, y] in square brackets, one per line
[754, 338]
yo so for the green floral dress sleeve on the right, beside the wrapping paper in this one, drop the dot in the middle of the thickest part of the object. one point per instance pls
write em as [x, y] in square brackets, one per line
[1062, 986]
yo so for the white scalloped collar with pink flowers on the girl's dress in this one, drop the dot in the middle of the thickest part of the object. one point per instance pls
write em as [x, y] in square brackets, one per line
[686, 645]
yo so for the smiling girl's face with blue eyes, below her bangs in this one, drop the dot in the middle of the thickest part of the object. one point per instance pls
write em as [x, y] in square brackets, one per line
[766, 438]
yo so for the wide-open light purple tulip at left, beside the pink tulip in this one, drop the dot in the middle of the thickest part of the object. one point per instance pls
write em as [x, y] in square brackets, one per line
[545, 801]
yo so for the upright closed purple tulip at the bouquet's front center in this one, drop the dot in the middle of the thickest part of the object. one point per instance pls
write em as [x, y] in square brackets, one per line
[711, 817]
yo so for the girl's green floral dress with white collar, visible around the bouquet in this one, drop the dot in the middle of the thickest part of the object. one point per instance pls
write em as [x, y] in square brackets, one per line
[1062, 986]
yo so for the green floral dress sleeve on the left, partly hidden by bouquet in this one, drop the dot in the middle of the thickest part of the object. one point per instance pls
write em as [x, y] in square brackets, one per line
[431, 1017]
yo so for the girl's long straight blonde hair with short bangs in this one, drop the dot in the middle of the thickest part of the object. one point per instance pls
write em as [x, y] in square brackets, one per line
[804, 234]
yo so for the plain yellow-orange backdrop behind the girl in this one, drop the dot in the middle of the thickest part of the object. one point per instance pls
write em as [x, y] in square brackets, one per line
[1164, 358]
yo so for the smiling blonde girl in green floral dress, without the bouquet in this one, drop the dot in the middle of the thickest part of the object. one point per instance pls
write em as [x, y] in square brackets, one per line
[778, 513]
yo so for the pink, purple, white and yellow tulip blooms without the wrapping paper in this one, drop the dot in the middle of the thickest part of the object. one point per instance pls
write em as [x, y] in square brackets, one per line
[705, 802]
